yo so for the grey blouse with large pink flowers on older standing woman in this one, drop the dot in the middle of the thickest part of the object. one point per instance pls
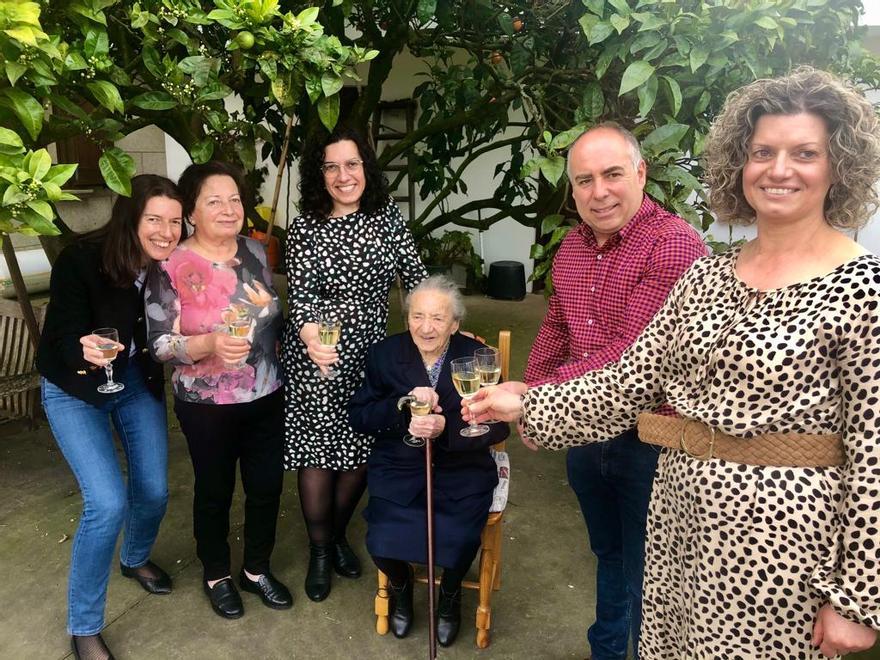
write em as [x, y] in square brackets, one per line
[190, 295]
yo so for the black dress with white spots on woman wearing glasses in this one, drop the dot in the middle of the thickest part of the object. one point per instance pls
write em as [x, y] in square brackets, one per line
[343, 265]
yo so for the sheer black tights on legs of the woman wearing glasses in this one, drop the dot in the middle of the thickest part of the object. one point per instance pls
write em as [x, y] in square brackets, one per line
[328, 499]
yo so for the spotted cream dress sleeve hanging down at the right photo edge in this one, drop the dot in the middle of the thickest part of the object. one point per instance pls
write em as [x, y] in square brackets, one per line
[847, 577]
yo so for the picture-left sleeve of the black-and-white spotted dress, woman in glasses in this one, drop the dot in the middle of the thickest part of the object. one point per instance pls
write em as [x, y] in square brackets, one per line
[303, 278]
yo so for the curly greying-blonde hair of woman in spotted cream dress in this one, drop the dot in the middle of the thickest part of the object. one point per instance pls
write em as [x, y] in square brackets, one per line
[853, 145]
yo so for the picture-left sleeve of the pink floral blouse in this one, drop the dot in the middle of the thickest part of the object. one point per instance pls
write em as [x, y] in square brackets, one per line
[163, 318]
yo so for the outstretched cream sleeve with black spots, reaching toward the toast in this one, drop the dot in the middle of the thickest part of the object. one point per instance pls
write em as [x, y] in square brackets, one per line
[604, 403]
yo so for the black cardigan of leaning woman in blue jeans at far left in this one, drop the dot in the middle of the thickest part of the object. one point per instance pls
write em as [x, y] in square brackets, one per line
[82, 300]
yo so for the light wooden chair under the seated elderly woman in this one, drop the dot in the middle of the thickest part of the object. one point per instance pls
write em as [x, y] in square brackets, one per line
[490, 549]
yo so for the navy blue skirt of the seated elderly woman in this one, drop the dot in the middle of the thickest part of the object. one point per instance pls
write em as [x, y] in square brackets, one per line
[400, 532]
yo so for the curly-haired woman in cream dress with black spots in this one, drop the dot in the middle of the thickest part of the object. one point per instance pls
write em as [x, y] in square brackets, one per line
[780, 335]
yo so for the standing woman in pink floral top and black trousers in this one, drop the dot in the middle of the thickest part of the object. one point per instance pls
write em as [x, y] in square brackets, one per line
[212, 313]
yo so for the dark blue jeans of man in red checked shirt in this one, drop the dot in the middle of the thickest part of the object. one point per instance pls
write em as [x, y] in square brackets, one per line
[612, 481]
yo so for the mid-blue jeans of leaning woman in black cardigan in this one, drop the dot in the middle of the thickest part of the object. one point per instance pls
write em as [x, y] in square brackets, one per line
[84, 435]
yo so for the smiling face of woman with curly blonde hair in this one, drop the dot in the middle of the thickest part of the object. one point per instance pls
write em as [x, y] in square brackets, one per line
[788, 173]
